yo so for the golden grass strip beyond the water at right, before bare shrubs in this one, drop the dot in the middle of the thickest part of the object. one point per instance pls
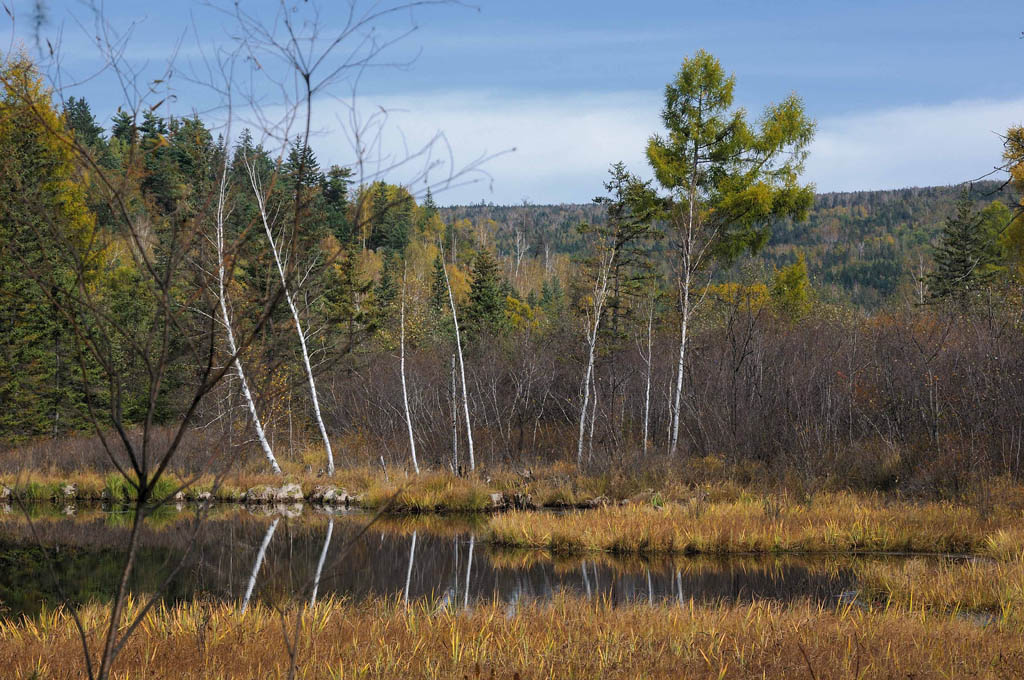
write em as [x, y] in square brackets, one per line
[830, 524]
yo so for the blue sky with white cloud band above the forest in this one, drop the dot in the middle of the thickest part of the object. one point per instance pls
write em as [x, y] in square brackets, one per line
[536, 100]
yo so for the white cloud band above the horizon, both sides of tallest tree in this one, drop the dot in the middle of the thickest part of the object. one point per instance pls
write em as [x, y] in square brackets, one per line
[565, 144]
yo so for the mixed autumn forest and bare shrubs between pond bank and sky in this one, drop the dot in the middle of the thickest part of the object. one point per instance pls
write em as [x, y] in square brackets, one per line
[693, 315]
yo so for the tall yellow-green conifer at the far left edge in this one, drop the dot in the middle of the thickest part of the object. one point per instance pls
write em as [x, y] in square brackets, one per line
[45, 225]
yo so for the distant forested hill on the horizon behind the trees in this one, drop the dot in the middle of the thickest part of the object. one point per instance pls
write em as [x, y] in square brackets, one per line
[864, 247]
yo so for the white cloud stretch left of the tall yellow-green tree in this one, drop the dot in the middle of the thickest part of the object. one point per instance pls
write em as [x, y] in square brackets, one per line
[563, 145]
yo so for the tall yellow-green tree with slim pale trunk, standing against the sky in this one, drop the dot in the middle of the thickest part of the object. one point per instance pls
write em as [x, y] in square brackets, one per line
[727, 180]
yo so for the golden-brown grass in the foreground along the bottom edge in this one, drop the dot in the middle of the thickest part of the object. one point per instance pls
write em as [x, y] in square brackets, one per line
[567, 639]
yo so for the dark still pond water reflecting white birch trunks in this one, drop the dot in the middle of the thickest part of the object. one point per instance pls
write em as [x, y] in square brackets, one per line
[241, 556]
